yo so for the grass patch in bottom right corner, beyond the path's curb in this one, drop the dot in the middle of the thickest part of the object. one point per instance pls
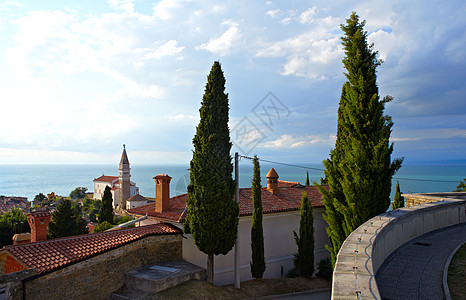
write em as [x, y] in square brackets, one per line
[457, 274]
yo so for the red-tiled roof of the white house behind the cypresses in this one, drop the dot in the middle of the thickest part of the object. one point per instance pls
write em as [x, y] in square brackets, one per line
[287, 199]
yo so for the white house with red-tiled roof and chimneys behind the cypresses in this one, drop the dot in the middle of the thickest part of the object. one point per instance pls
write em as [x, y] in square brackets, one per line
[281, 202]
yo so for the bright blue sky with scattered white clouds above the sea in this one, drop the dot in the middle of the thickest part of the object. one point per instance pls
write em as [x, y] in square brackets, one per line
[78, 79]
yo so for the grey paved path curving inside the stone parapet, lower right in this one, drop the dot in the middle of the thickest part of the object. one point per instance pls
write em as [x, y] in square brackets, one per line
[415, 270]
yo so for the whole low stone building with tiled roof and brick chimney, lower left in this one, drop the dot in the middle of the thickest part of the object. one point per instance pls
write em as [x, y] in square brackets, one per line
[90, 266]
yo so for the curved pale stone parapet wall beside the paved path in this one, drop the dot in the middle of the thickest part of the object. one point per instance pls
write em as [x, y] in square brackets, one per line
[366, 248]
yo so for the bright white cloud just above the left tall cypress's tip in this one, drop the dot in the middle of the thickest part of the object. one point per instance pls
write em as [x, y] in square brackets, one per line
[228, 40]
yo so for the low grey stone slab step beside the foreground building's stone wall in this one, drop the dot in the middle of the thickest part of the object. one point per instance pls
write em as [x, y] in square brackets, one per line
[153, 279]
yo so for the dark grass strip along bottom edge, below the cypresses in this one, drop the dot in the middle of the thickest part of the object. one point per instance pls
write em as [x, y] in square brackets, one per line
[249, 289]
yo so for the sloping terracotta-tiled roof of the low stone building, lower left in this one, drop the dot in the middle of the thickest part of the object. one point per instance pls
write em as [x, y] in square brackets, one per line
[47, 256]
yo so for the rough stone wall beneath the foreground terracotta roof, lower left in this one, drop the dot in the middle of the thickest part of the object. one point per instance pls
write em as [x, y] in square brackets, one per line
[98, 277]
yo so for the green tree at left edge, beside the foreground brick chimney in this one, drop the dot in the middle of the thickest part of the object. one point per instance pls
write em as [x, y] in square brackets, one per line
[12, 222]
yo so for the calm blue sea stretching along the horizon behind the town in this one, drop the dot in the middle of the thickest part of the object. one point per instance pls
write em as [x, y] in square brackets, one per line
[29, 180]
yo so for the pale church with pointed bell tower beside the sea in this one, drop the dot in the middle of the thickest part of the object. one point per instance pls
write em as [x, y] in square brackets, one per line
[121, 186]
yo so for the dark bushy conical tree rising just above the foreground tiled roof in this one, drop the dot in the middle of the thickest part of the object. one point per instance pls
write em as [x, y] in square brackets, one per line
[66, 221]
